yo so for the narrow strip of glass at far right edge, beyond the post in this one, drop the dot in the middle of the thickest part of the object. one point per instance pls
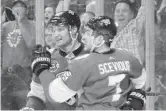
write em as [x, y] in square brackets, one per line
[160, 53]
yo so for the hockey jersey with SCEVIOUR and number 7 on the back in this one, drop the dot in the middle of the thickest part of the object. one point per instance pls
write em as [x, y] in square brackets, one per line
[103, 77]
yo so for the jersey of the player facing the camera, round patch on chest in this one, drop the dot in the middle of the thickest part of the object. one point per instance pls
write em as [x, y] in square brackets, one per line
[59, 61]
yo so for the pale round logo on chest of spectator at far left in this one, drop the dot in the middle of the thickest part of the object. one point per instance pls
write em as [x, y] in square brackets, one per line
[14, 38]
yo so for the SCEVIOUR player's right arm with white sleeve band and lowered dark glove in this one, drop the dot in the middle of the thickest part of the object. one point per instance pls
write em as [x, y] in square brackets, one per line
[136, 97]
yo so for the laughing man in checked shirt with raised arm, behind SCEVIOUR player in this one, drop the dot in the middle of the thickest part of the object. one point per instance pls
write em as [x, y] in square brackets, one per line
[129, 28]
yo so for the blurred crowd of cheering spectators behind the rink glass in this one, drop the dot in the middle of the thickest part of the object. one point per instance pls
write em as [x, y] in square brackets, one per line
[18, 39]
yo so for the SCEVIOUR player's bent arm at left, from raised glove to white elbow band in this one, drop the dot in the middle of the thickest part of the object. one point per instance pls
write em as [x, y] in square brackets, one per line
[40, 66]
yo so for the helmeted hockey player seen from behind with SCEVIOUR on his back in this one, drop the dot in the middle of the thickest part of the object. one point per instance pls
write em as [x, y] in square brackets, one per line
[105, 75]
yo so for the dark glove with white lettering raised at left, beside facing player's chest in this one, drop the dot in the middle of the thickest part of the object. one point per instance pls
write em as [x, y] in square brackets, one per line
[41, 59]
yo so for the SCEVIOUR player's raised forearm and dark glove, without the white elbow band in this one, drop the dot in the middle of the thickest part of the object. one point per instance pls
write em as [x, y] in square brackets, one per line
[41, 63]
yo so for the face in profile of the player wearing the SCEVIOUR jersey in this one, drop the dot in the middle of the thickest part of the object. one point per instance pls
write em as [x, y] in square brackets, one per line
[87, 39]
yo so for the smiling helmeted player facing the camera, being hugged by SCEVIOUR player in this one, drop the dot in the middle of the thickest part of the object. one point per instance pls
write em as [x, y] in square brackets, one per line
[65, 28]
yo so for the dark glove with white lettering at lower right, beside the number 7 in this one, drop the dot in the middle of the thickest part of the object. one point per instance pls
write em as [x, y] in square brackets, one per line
[135, 100]
